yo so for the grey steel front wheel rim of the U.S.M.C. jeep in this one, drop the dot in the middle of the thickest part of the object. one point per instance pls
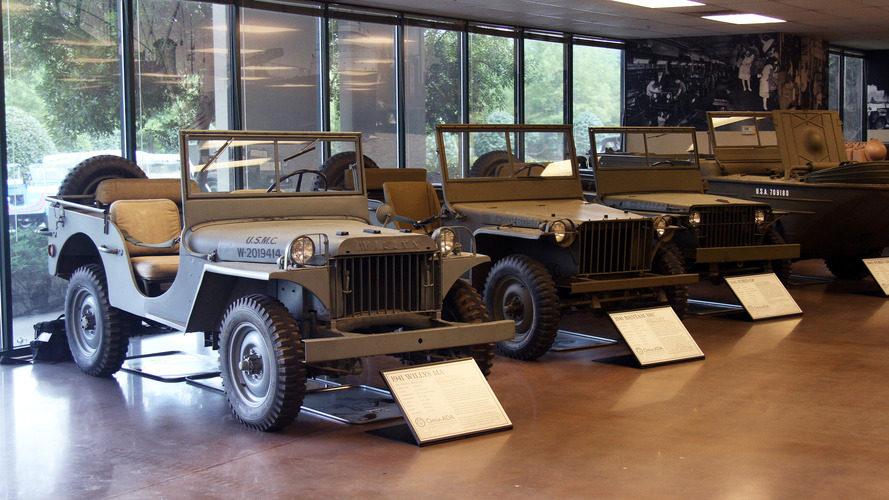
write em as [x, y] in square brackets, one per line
[249, 363]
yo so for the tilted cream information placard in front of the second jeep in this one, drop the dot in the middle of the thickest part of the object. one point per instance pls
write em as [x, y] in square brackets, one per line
[656, 335]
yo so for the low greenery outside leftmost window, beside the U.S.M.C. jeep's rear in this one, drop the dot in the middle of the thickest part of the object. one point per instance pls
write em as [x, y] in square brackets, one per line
[34, 290]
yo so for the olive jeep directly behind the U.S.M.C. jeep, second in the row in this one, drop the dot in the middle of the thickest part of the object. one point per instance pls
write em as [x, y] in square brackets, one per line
[516, 187]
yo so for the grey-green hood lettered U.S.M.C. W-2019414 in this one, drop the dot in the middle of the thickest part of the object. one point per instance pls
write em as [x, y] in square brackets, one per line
[267, 240]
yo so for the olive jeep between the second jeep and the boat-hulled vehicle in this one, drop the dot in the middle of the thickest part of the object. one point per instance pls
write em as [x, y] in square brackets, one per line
[656, 173]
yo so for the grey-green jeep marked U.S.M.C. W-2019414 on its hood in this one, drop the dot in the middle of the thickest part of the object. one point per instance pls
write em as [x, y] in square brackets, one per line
[285, 277]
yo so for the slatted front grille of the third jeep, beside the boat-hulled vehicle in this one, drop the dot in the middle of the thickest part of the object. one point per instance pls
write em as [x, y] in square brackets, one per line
[726, 226]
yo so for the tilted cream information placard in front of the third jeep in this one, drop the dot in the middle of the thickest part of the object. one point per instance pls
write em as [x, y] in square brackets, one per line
[763, 296]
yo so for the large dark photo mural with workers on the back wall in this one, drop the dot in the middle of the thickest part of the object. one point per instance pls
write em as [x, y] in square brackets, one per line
[674, 82]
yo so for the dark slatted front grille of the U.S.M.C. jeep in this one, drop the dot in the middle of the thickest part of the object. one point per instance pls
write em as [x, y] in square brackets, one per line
[385, 284]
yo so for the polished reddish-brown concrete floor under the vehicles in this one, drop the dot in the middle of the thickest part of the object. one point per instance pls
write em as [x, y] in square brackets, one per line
[784, 408]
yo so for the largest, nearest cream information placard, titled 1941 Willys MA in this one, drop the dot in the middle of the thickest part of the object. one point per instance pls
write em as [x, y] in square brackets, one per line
[447, 400]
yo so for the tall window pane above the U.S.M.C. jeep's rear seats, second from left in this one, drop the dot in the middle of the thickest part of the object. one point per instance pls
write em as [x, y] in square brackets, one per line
[182, 77]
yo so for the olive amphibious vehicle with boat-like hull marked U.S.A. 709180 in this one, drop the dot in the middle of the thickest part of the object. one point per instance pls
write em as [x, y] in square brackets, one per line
[794, 160]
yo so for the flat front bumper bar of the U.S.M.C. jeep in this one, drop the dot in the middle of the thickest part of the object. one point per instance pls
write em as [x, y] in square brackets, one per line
[441, 334]
